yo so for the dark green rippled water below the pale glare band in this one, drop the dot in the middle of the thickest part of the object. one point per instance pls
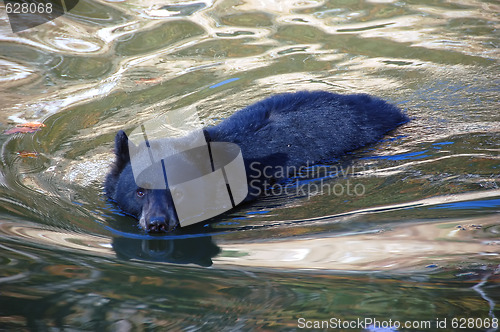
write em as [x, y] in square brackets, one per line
[58, 289]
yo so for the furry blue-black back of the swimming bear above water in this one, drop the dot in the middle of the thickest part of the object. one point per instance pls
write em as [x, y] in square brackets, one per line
[307, 127]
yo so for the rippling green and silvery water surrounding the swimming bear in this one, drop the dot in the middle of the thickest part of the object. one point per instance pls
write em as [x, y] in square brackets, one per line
[418, 242]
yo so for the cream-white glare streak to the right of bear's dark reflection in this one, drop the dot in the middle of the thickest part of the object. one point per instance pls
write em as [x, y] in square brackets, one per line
[394, 248]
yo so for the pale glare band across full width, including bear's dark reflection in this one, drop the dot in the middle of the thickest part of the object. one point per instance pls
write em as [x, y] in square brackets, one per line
[390, 247]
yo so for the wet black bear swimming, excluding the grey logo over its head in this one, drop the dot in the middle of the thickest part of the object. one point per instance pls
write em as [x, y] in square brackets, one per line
[282, 132]
